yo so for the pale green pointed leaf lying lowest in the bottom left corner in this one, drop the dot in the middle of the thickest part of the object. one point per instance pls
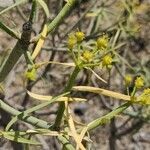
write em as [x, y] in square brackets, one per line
[17, 138]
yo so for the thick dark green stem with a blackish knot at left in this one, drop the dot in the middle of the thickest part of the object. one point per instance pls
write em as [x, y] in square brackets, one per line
[20, 48]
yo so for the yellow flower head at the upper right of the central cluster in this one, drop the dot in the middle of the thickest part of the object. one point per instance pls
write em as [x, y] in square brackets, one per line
[102, 42]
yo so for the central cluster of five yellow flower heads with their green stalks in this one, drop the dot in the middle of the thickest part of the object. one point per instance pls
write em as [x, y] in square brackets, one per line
[95, 54]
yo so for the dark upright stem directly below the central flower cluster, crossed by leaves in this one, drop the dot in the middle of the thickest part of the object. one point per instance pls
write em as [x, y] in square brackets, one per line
[62, 104]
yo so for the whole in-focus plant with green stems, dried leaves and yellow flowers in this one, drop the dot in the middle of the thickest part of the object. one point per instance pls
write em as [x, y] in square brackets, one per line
[85, 54]
